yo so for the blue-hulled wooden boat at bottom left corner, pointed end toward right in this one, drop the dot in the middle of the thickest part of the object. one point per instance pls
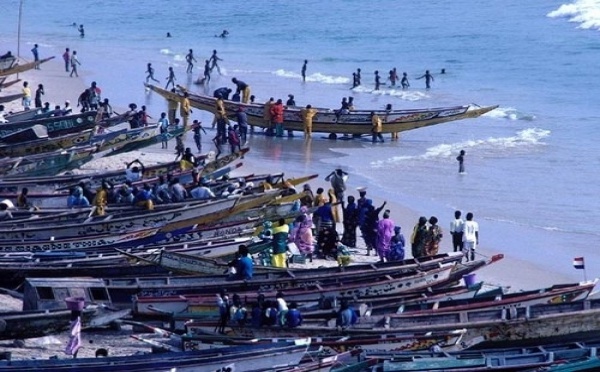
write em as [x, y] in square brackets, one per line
[260, 357]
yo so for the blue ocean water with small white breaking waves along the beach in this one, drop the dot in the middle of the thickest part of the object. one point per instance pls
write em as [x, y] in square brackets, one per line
[532, 165]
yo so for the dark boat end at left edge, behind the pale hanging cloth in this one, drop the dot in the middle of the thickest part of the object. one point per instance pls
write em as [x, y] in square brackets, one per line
[30, 324]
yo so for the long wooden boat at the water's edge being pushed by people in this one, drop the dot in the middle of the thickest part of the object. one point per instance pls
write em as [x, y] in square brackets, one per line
[330, 121]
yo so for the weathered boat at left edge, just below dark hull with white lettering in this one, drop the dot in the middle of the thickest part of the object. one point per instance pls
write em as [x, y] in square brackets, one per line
[45, 145]
